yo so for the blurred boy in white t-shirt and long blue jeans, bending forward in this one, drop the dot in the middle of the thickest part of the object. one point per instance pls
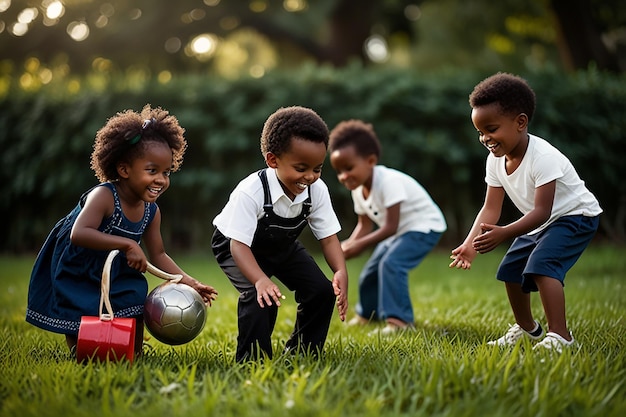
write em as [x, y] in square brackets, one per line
[396, 216]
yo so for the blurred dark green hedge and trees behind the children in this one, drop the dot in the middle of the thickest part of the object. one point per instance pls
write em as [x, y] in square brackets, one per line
[223, 66]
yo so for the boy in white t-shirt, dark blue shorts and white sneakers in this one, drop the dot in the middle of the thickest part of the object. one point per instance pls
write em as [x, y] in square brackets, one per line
[560, 215]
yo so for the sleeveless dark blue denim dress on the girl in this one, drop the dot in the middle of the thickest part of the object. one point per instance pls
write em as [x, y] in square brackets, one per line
[65, 281]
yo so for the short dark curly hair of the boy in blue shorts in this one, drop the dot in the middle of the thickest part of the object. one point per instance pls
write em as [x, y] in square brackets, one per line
[512, 93]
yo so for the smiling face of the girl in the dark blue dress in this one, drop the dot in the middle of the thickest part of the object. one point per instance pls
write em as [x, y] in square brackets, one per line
[148, 176]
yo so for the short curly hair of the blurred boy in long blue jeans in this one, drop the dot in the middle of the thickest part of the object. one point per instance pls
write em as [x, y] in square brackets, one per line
[355, 133]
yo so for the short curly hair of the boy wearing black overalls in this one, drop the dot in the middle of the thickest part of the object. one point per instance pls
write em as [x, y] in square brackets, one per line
[292, 122]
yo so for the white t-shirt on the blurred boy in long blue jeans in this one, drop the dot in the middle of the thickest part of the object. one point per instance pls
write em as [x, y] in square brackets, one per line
[418, 211]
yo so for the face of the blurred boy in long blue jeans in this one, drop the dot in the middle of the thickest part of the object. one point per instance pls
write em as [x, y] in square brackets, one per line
[353, 169]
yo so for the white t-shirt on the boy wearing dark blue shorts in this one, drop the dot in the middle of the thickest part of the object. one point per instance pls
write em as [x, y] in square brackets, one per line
[541, 164]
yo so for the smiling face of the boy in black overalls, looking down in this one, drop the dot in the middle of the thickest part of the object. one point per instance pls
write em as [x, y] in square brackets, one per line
[299, 166]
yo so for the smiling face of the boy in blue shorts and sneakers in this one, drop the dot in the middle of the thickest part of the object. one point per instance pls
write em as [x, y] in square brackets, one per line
[503, 134]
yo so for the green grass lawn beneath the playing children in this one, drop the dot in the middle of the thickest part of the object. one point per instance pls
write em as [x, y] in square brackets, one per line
[444, 369]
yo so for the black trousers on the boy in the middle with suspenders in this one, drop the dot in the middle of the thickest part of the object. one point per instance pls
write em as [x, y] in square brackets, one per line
[299, 272]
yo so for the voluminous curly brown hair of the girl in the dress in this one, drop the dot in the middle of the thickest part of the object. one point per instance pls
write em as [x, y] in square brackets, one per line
[126, 136]
